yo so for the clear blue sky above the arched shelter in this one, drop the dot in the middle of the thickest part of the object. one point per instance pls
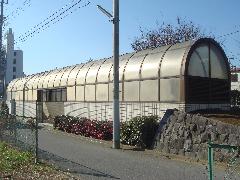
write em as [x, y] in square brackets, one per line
[86, 33]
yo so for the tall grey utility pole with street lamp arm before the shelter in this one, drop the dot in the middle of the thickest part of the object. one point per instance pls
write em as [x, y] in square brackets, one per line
[116, 117]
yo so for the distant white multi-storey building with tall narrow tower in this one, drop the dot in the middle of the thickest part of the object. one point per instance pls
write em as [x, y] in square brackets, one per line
[14, 59]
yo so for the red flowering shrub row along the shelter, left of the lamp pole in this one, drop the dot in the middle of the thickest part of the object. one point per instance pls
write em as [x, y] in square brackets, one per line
[84, 127]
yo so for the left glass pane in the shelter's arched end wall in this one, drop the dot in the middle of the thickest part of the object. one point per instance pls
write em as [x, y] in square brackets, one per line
[199, 62]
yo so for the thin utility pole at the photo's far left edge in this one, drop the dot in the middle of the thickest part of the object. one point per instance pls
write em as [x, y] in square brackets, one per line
[2, 64]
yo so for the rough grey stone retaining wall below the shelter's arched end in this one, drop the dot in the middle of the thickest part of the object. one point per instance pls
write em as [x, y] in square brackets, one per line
[188, 134]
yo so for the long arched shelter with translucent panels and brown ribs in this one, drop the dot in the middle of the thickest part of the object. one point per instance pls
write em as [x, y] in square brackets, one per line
[189, 76]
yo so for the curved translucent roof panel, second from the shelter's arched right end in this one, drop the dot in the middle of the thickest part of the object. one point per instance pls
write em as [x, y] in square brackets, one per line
[151, 63]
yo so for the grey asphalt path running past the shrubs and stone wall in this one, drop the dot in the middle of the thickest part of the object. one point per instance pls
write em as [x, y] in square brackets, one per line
[91, 160]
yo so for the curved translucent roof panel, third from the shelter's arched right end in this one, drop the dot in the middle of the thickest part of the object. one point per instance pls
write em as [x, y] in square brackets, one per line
[134, 64]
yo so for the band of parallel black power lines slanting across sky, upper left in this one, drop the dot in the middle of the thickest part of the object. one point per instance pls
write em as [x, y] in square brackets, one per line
[52, 19]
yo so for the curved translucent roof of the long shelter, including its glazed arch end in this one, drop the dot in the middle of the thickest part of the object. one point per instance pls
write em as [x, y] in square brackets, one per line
[182, 59]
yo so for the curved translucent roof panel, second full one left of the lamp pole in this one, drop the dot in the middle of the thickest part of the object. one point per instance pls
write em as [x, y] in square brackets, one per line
[92, 72]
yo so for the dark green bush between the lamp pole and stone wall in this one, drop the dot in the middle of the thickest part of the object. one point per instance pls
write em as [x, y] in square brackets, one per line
[139, 131]
